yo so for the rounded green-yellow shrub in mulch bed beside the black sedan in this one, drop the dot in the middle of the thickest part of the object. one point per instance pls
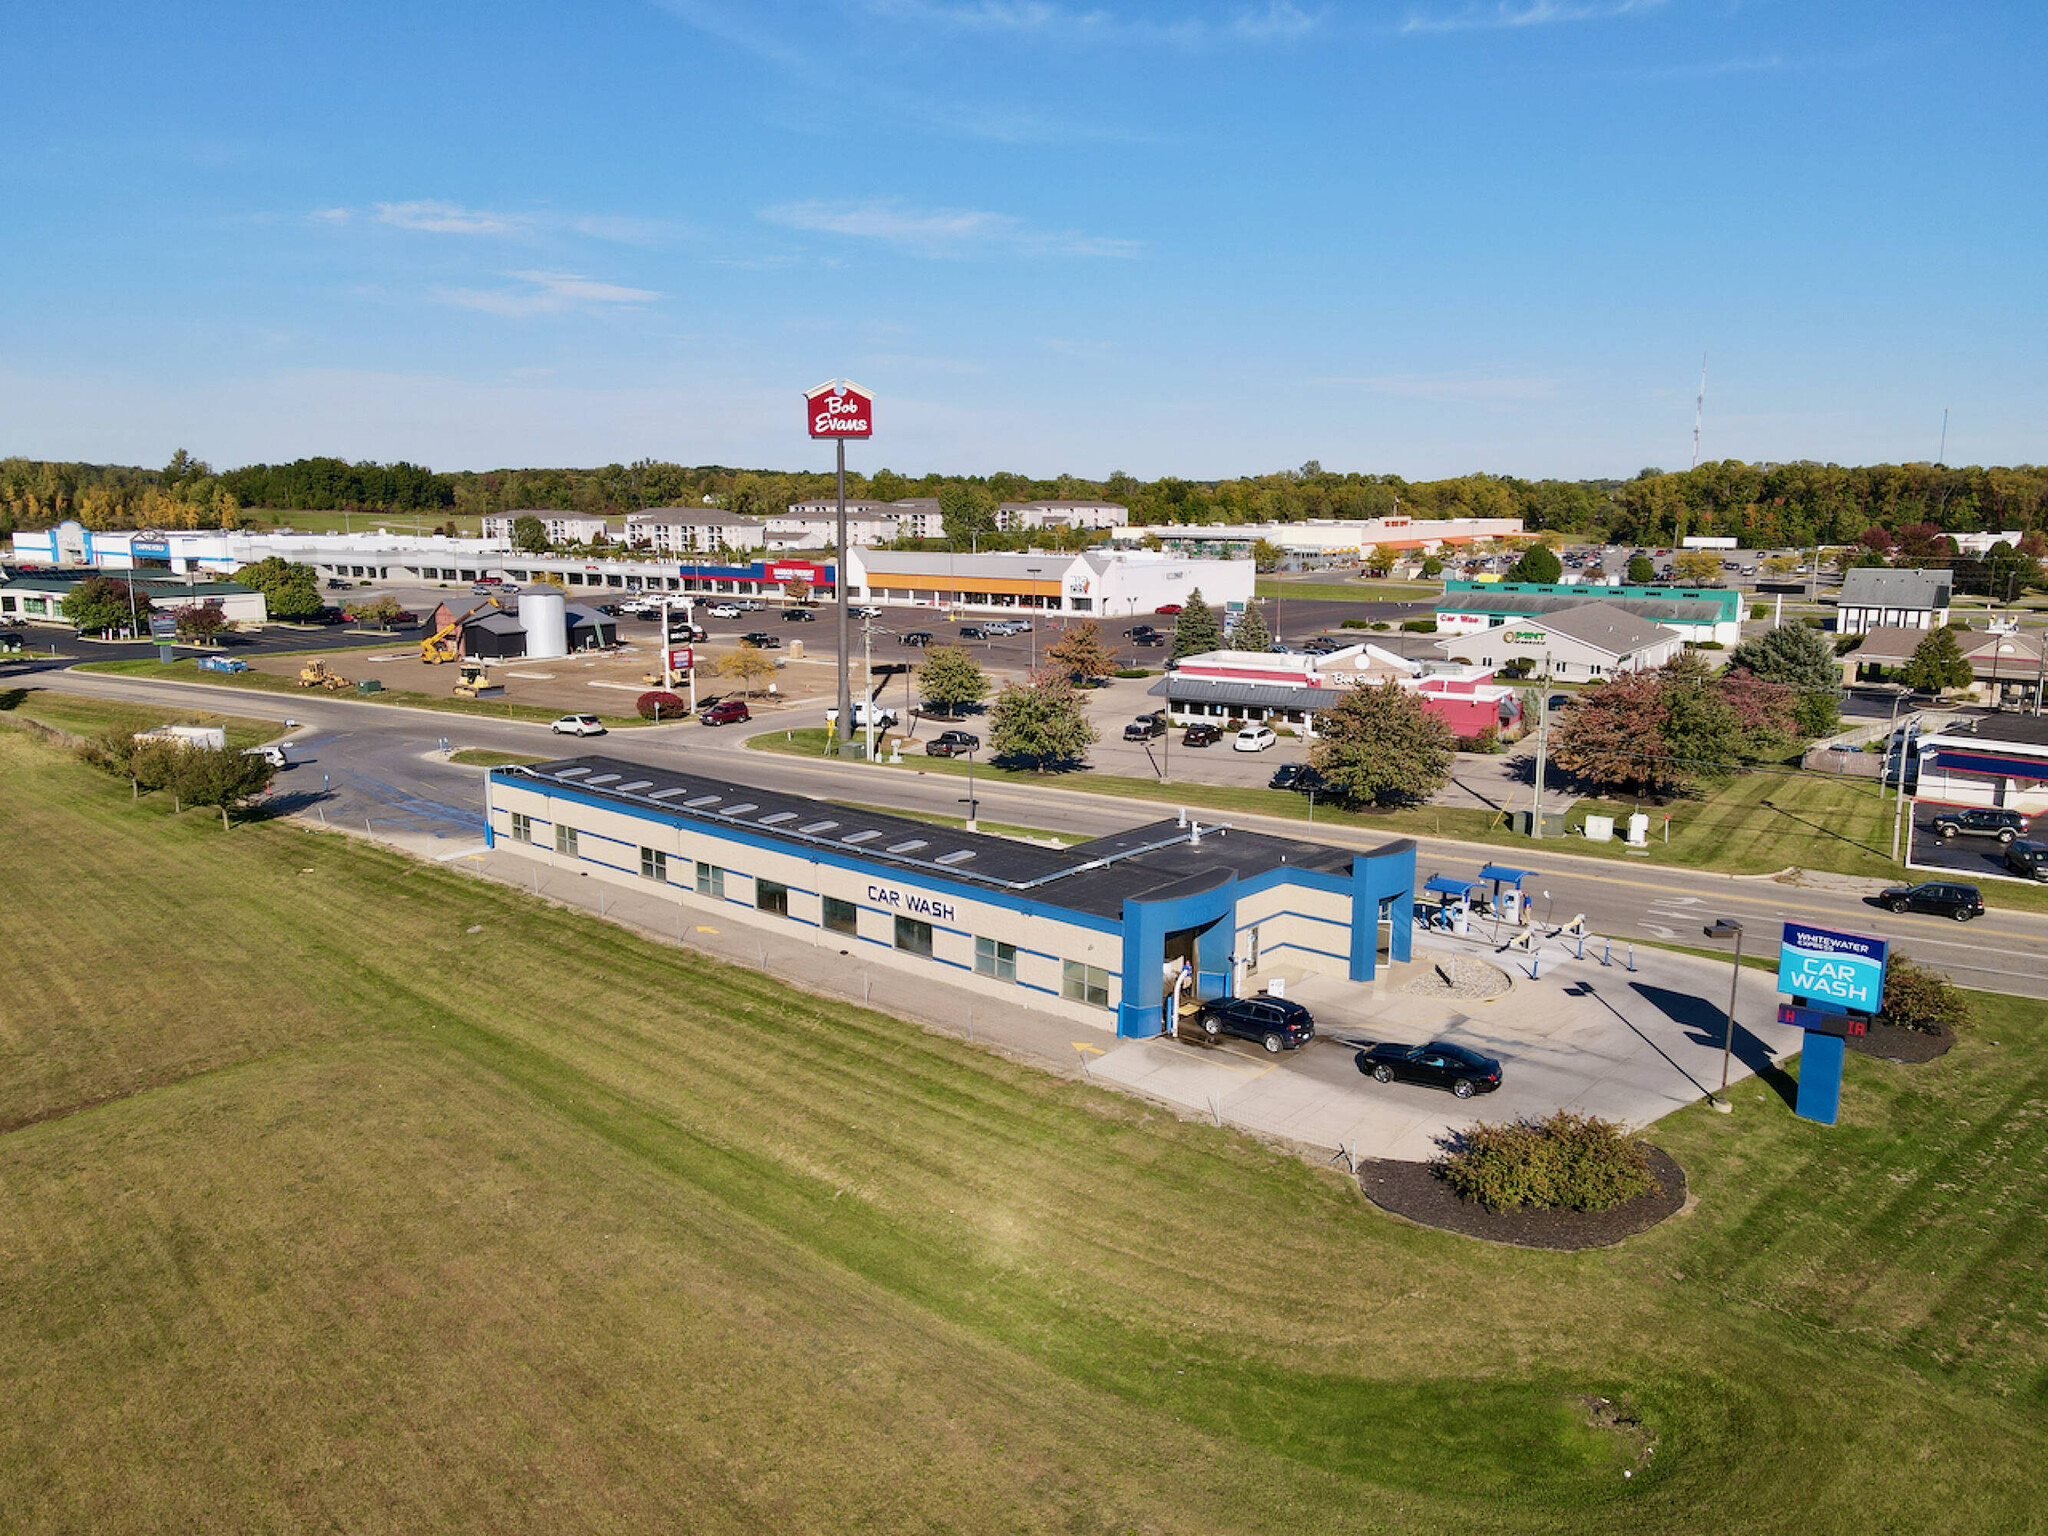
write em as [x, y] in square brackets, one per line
[1570, 1162]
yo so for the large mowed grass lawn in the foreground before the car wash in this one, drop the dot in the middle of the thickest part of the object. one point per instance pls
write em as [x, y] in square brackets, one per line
[355, 1193]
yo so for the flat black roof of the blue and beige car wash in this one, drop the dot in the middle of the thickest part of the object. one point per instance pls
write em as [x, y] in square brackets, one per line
[1150, 863]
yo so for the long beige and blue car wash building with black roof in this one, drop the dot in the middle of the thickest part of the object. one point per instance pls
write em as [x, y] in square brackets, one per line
[1091, 933]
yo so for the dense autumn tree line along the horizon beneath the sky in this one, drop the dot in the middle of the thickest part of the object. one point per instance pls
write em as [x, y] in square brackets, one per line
[1781, 505]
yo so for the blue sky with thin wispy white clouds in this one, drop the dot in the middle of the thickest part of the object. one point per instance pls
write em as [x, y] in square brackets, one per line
[1197, 239]
